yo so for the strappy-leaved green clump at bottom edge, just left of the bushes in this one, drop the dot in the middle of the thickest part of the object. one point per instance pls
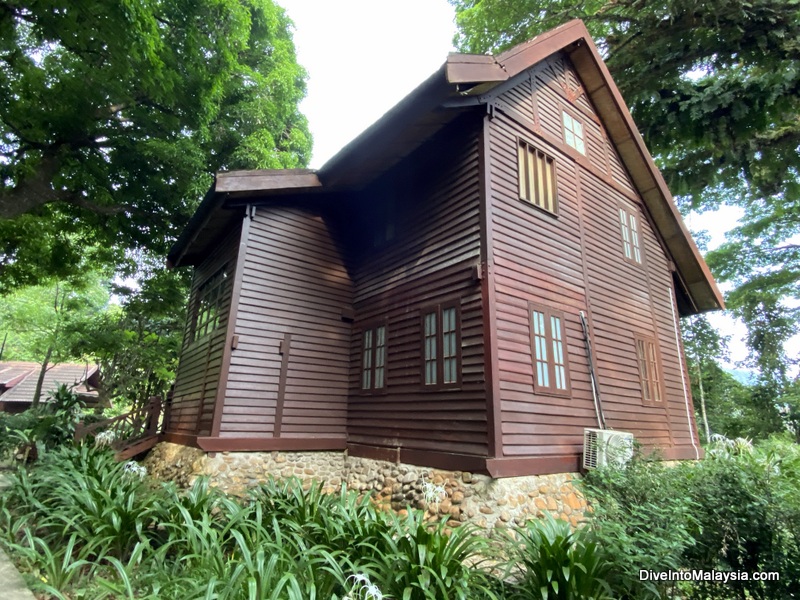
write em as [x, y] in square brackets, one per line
[551, 561]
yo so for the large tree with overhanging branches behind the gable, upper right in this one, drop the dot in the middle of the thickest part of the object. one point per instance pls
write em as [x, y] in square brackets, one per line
[715, 89]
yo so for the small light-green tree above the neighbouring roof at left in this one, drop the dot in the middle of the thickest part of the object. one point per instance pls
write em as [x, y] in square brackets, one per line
[40, 322]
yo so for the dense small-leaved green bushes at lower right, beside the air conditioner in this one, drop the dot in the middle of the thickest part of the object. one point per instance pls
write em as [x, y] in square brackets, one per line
[737, 510]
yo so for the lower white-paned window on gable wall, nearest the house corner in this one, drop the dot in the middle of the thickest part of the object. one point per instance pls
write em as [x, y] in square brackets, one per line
[548, 349]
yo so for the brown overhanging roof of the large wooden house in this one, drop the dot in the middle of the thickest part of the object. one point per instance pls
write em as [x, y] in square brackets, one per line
[463, 82]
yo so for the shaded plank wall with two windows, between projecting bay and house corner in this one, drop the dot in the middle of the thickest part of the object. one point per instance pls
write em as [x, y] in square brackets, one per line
[431, 260]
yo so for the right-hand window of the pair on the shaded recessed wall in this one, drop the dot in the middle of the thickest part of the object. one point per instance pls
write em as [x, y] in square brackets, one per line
[441, 338]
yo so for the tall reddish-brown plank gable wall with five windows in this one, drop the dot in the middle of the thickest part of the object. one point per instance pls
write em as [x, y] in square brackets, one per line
[575, 262]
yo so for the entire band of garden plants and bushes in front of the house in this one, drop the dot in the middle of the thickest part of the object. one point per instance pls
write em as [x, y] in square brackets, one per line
[81, 525]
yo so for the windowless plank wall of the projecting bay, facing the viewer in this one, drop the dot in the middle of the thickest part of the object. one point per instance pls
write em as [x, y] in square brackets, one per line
[289, 324]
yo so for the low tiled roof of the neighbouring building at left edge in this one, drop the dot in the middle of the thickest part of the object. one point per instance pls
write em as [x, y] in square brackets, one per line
[18, 380]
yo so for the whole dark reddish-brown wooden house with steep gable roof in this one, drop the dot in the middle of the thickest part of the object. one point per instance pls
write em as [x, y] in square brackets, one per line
[419, 297]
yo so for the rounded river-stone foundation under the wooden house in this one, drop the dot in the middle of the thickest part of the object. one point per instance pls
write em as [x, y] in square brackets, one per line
[459, 495]
